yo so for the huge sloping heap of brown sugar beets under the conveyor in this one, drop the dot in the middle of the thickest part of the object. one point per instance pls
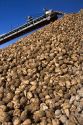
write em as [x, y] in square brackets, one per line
[41, 76]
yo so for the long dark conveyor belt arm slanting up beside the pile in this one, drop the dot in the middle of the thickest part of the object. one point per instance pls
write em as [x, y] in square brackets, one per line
[27, 27]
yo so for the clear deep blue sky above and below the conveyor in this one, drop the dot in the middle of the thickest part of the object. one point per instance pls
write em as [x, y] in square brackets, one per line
[14, 12]
